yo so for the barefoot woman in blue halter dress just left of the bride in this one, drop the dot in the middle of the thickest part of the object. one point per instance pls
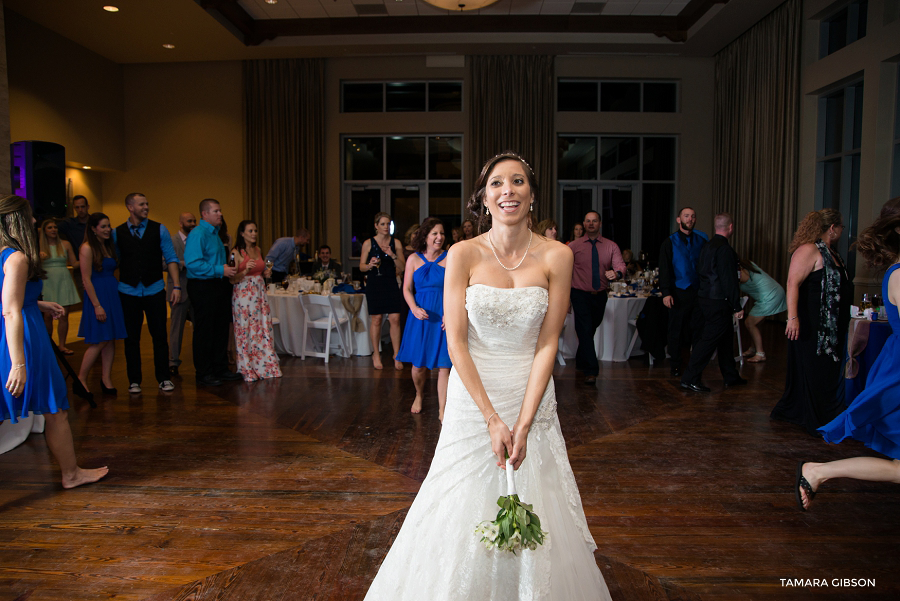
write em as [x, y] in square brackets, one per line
[424, 340]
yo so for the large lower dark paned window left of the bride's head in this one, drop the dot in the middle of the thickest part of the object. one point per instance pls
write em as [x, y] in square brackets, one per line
[410, 177]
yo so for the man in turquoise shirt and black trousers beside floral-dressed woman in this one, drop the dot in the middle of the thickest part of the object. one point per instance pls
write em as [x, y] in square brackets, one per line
[210, 291]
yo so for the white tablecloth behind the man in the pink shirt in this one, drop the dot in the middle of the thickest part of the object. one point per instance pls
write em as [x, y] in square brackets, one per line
[612, 338]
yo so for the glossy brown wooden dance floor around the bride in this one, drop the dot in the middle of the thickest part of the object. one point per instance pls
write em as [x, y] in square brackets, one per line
[293, 489]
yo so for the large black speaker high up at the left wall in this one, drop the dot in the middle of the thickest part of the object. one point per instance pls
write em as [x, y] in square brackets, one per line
[39, 174]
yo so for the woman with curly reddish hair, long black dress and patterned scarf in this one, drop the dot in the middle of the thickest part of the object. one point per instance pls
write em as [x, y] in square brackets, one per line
[818, 298]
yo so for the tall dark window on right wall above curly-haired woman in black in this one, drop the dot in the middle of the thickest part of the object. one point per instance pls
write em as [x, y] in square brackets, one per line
[838, 159]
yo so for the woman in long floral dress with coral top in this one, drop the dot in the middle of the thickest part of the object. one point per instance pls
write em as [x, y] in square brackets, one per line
[254, 344]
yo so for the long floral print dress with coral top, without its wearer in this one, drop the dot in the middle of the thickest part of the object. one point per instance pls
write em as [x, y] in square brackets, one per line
[253, 339]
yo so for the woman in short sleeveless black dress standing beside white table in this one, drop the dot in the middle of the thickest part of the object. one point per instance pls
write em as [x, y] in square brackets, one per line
[382, 258]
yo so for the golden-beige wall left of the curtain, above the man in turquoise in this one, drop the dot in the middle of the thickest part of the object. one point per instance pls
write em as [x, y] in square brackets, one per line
[183, 141]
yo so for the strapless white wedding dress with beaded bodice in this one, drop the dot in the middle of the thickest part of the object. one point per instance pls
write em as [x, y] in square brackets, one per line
[436, 555]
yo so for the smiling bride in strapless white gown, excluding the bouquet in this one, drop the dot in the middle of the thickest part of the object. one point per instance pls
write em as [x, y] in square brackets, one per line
[506, 293]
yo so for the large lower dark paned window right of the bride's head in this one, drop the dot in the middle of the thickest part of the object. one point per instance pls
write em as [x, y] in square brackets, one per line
[629, 180]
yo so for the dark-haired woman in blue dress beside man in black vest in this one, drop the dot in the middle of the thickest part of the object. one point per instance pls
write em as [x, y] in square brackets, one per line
[102, 321]
